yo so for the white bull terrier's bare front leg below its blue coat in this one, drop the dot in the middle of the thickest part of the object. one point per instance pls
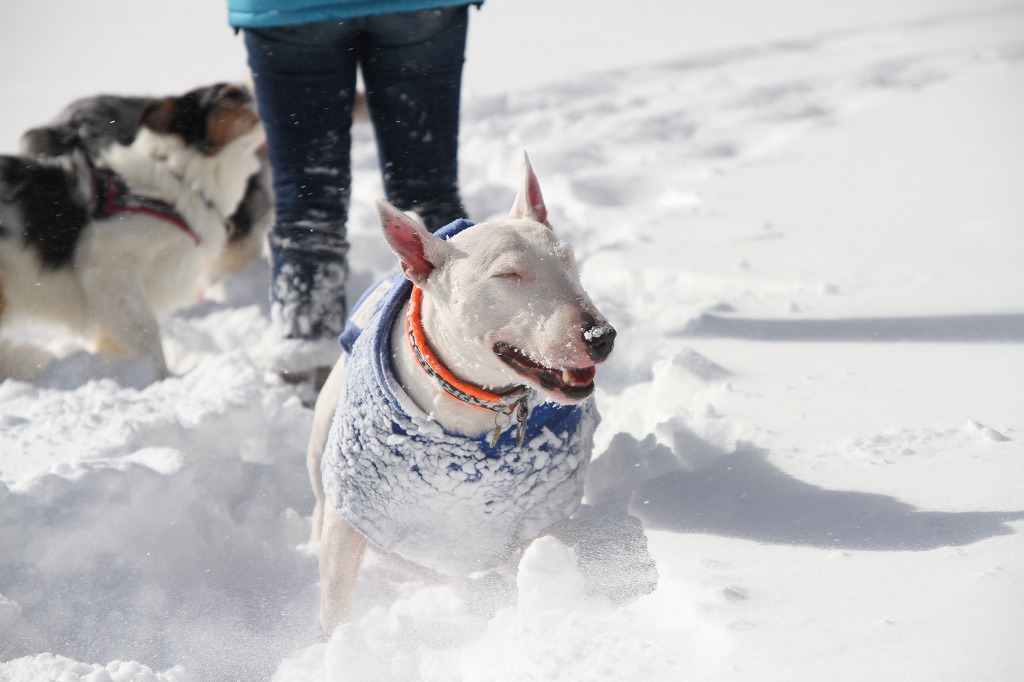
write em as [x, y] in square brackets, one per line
[342, 555]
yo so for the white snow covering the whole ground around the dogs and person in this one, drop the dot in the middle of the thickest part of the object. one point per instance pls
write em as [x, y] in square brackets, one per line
[803, 220]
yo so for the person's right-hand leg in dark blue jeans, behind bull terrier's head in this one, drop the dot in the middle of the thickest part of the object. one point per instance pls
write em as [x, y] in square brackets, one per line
[412, 66]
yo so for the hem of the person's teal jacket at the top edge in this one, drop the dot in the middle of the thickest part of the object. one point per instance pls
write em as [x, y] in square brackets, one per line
[266, 14]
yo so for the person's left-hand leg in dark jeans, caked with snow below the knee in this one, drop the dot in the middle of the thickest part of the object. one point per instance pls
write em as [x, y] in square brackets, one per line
[306, 82]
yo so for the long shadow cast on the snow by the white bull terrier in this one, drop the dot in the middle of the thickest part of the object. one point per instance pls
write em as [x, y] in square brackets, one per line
[743, 495]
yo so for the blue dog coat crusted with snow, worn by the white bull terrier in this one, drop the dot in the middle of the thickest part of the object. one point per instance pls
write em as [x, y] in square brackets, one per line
[445, 501]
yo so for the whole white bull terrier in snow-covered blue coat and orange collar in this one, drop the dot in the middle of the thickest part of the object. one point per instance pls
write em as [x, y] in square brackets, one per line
[458, 427]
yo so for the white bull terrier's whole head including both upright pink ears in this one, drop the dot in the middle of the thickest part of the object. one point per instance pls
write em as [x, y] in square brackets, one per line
[503, 303]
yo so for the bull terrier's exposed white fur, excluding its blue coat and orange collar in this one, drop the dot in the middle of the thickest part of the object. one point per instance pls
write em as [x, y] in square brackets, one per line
[519, 263]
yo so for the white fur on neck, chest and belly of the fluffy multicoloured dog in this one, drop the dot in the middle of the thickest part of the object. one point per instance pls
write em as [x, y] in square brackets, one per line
[132, 271]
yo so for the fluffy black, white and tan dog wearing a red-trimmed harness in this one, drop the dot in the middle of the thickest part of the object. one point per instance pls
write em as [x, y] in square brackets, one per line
[66, 257]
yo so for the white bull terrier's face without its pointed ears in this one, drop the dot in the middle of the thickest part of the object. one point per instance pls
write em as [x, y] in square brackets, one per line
[509, 307]
